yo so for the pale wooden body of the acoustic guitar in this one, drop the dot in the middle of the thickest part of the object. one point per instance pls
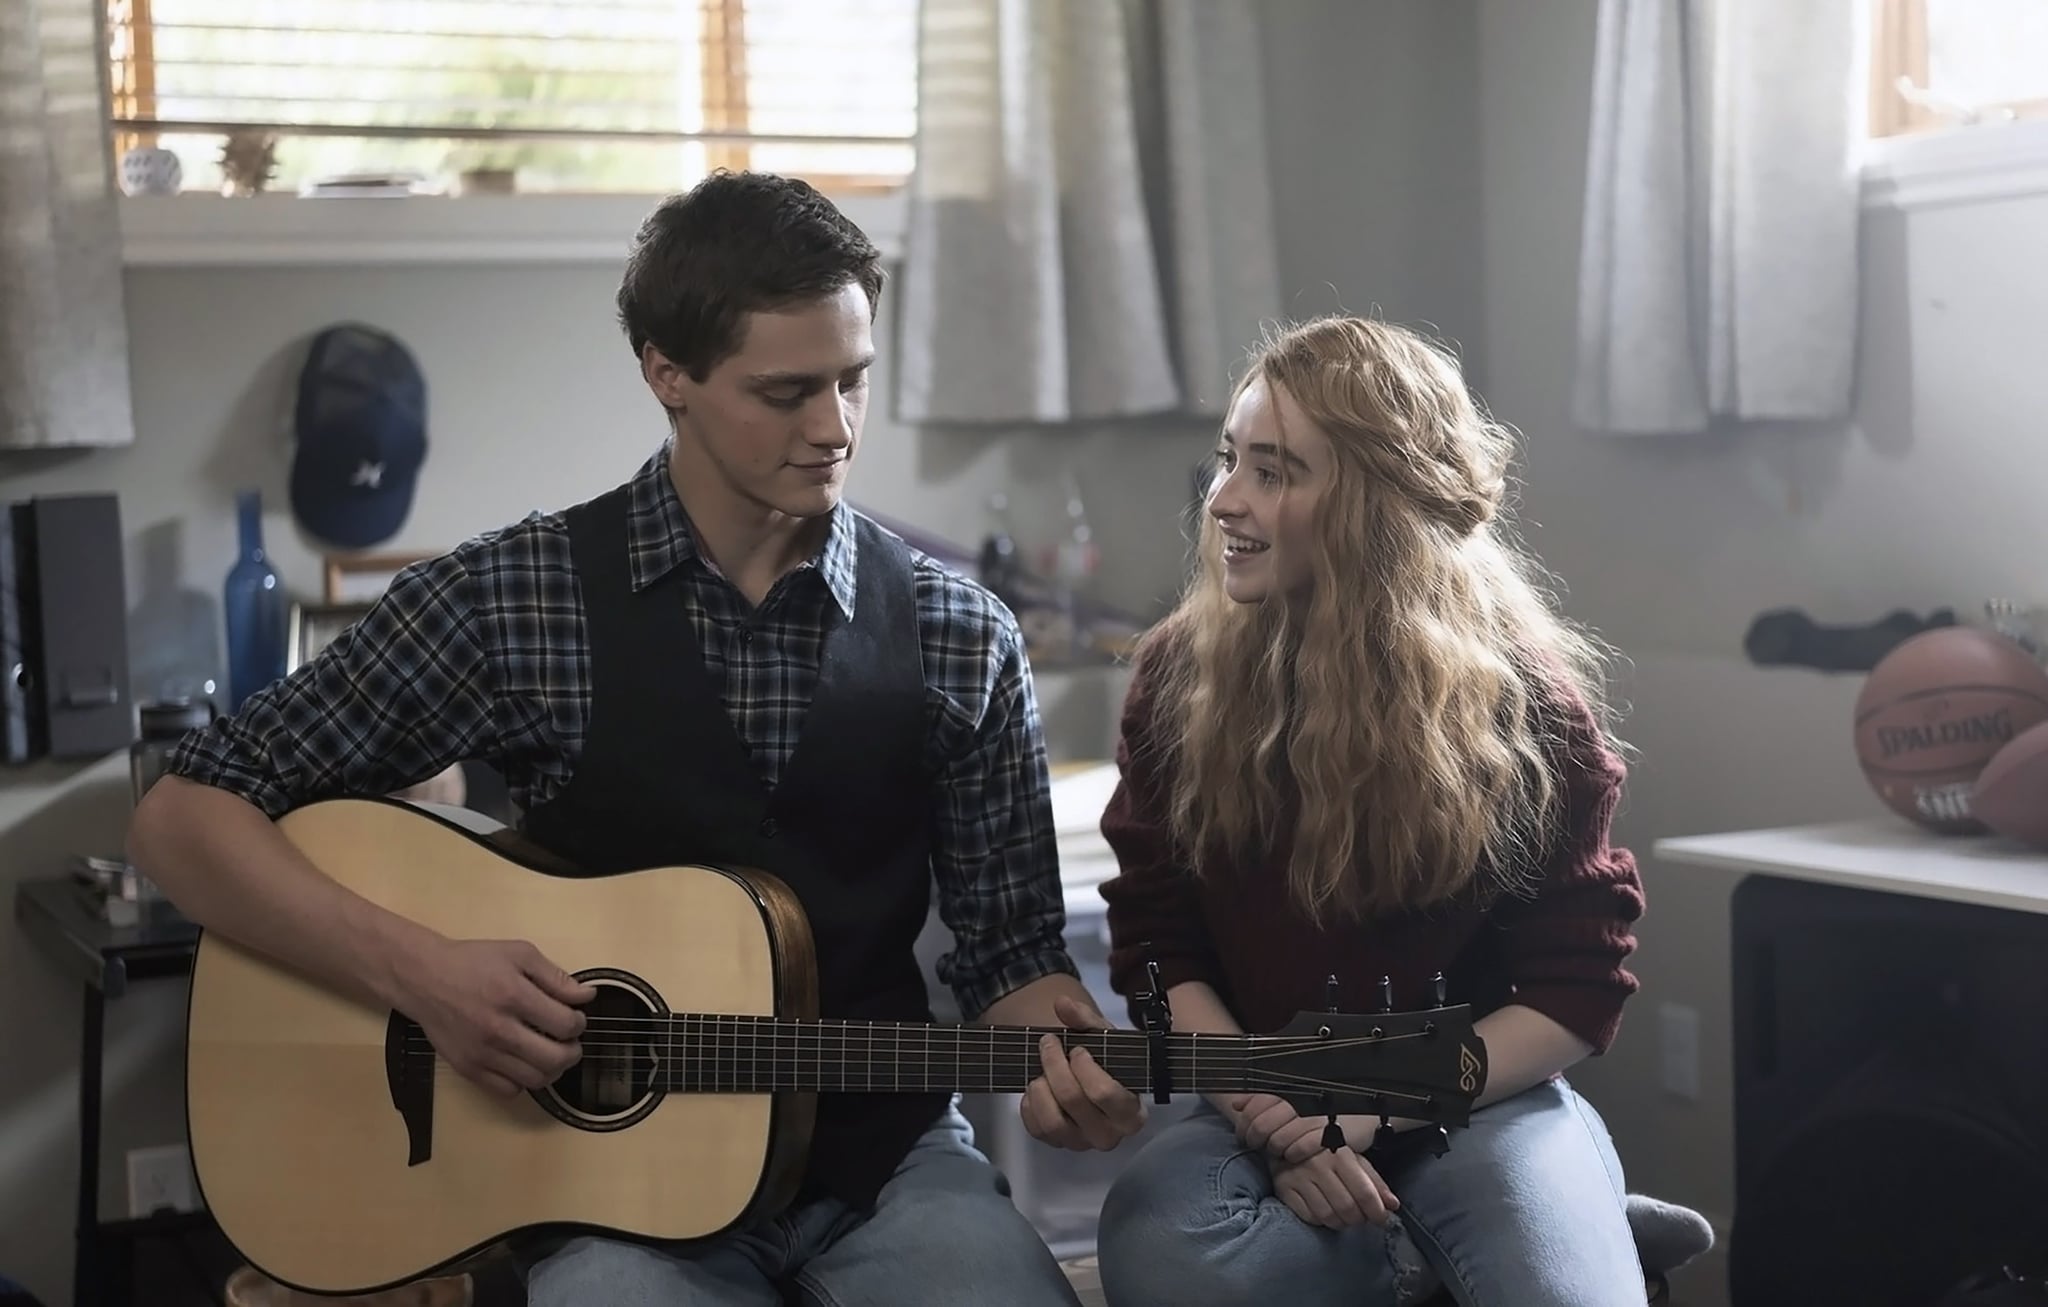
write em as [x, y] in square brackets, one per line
[294, 1093]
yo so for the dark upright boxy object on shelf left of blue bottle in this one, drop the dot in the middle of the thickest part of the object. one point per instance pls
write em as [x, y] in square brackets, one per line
[65, 630]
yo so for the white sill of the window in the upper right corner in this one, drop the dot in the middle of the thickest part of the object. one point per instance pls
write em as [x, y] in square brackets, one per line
[1963, 167]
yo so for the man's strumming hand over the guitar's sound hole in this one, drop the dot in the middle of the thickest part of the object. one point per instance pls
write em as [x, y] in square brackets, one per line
[497, 1011]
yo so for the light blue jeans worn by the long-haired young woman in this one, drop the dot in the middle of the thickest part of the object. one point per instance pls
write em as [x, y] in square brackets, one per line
[1527, 1210]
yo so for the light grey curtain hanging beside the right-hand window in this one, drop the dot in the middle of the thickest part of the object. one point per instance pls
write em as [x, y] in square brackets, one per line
[1719, 251]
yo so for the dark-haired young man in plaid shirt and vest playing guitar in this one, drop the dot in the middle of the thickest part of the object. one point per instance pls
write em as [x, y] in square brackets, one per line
[718, 661]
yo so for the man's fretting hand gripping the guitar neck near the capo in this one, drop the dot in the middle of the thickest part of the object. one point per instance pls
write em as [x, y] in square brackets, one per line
[1076, 1103]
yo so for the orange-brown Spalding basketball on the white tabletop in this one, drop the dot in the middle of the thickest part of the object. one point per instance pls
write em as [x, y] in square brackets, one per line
[1934, 712]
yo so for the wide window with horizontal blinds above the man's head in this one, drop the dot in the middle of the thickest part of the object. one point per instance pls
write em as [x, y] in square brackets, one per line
[529, 95]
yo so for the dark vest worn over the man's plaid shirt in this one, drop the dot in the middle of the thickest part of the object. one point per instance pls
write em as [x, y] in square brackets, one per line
[667, 779]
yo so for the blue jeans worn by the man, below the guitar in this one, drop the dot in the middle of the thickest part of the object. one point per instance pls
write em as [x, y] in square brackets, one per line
[943, 1232]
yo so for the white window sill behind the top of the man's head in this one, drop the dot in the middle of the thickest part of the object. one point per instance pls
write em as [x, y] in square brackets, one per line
[286, 230]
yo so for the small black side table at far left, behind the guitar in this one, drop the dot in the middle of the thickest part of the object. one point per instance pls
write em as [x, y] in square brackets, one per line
[103, 960]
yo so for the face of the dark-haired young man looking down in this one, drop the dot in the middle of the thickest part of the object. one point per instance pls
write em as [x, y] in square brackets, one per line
[781, 417]
